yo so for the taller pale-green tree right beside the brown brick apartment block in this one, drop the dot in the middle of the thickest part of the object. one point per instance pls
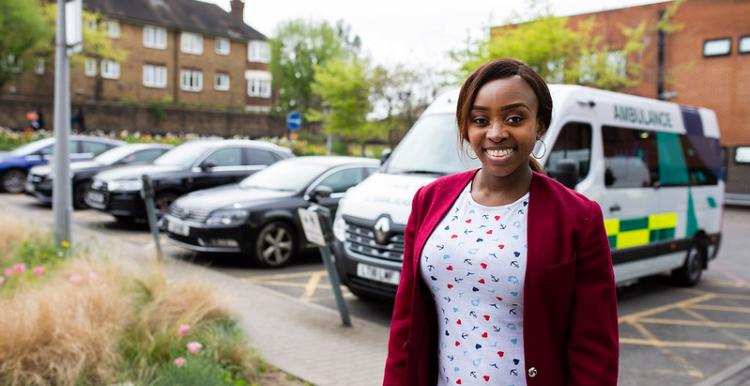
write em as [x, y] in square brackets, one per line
[297, 49]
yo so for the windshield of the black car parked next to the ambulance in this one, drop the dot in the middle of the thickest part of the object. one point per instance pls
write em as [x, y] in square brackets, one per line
[290, 175]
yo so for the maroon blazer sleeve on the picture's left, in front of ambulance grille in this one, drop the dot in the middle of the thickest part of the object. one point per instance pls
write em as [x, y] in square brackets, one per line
[398, 342]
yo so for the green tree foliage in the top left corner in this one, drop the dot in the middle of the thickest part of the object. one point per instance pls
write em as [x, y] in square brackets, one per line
[22, 27]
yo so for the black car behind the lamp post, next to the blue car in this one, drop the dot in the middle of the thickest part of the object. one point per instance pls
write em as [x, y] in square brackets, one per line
[39, 180]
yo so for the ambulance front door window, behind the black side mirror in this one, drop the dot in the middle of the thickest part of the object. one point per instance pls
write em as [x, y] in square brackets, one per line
[572, 143]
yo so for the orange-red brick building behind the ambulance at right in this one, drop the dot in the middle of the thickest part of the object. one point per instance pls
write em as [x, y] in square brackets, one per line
[706, 63]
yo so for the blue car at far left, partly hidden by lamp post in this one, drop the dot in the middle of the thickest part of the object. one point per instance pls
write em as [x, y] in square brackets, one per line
[15, 165]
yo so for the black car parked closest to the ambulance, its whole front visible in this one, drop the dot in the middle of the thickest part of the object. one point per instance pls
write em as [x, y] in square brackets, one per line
[258, 217]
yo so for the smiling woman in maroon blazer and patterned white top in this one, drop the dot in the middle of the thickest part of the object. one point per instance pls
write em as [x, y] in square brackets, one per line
[507, 276]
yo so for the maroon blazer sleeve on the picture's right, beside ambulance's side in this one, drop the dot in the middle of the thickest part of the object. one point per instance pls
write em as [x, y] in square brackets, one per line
[593, 344]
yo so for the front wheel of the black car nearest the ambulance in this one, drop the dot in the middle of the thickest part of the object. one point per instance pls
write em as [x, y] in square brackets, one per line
[274, 245]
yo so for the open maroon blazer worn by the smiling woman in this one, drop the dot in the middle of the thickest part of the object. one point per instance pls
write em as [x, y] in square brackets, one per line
[570, 307]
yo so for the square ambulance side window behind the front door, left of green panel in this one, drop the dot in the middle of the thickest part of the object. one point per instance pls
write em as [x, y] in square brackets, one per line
[630, 158]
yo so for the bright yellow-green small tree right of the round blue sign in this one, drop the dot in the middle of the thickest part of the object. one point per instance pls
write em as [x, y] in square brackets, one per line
[344, 89]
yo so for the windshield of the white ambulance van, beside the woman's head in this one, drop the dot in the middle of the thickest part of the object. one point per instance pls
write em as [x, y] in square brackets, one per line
[430, 147]
